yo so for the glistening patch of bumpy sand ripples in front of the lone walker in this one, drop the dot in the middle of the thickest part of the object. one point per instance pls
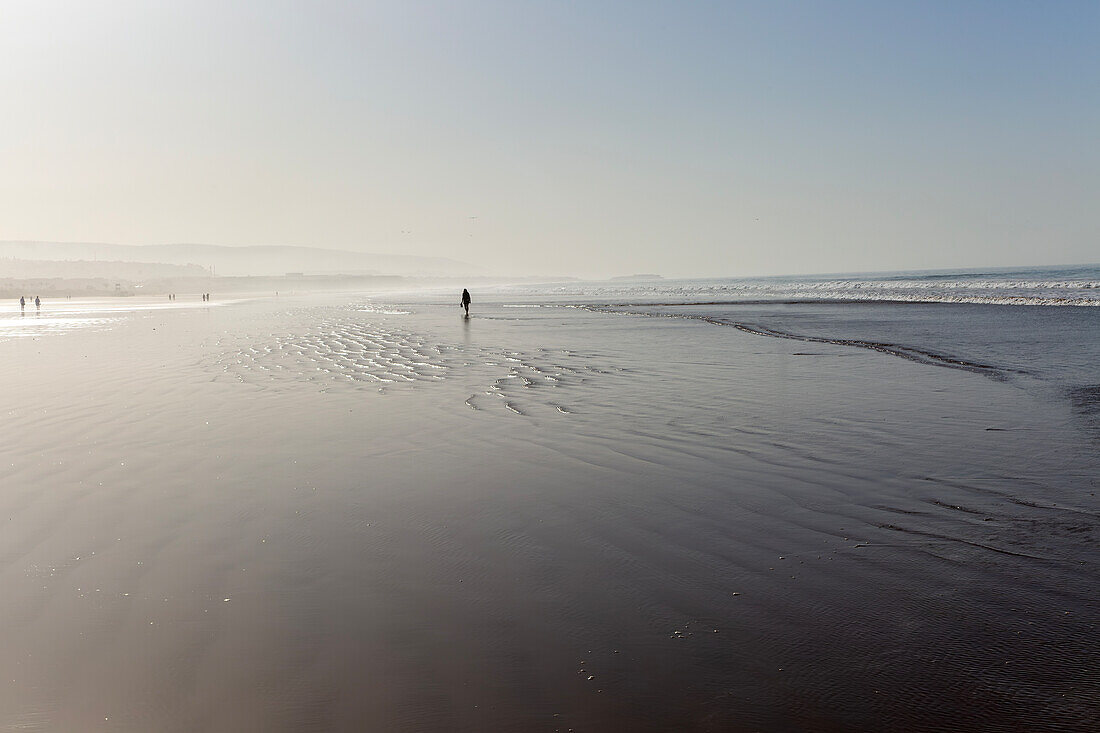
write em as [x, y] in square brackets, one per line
[343, 353]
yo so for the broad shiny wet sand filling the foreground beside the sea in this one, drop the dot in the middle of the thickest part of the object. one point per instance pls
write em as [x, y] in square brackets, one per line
[377, 516]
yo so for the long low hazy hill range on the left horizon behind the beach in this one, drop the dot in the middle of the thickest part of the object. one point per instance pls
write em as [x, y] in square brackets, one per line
[244, 261]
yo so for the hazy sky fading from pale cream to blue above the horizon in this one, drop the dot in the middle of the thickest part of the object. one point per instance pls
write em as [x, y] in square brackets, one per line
[574, 138]
